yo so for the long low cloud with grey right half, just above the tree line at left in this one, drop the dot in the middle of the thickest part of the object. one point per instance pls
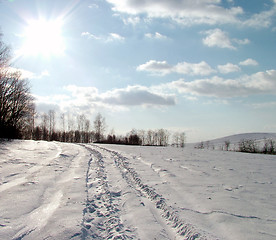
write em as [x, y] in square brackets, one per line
[87, 99]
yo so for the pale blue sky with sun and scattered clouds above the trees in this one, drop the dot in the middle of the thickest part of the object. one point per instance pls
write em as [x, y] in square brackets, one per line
[203, 67]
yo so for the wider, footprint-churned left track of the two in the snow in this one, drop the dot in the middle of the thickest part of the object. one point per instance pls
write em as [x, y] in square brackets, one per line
[101, 216]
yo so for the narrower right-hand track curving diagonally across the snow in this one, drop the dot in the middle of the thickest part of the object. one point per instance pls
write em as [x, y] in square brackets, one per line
[183, 229]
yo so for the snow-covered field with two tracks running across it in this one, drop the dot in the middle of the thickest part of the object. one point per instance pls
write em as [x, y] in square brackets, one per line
[52, 190]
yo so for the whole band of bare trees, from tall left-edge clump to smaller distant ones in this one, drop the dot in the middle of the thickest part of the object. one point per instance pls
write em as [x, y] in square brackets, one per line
[19, 119]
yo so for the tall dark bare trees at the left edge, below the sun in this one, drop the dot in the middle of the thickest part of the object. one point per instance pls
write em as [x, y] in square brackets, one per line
[16, 101]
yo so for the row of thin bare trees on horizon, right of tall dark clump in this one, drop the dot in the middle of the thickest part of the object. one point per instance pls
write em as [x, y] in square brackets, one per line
[77, 129]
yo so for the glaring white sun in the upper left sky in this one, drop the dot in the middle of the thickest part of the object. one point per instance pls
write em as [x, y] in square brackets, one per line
[43, 37]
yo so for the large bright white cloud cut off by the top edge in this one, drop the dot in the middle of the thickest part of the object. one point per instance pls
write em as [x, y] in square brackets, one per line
[186, 12]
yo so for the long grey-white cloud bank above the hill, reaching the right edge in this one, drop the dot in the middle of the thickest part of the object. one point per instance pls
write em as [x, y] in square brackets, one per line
[258, 83]
